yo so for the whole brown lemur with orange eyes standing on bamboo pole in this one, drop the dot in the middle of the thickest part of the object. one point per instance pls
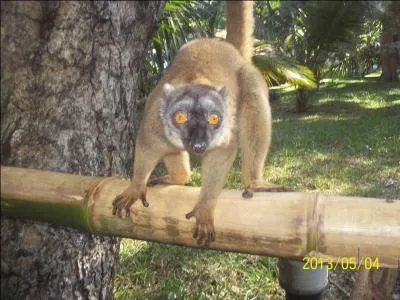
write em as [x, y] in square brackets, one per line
[210, 99]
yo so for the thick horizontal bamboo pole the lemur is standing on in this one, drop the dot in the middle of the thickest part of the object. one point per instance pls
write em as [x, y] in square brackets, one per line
[290, 224]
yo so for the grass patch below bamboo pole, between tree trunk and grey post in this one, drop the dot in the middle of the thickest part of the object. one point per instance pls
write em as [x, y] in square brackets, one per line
[156, 271]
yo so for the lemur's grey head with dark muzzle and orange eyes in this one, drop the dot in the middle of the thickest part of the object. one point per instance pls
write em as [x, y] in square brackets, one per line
[193, 116]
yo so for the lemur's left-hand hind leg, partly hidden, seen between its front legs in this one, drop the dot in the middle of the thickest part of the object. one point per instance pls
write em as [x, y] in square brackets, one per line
[178, 167]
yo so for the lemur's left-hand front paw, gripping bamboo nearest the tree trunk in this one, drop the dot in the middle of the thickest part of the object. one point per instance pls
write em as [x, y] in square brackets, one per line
[125, 200]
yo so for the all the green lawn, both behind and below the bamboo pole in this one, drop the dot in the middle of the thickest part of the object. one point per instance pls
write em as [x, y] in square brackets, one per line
[348, 143]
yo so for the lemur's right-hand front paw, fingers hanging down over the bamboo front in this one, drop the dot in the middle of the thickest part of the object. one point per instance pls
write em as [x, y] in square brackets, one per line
[205, 231]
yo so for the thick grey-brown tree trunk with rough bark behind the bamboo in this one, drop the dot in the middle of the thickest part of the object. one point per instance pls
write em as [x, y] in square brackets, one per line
[69, 82]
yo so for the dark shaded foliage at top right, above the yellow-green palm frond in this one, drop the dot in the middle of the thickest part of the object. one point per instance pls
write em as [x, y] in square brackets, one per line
[338, 37]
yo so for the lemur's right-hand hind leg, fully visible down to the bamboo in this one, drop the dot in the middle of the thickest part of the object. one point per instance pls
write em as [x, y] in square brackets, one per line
[255, 130]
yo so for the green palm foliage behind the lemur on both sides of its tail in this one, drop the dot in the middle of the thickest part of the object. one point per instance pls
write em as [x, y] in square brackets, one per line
[300, 42]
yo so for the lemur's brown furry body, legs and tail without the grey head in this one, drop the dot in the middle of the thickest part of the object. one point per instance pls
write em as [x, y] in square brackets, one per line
[216, 63]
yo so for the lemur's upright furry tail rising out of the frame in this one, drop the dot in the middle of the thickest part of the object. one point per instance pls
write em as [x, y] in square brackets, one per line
[240, 26]
